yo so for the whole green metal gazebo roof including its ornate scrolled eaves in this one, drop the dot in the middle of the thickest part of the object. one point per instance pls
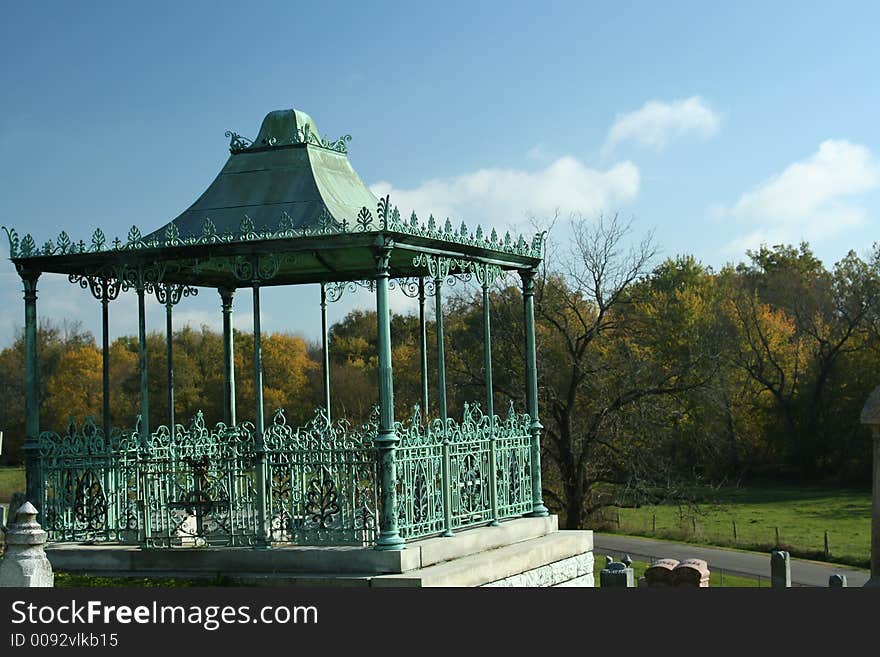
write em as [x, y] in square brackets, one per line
[288, 203]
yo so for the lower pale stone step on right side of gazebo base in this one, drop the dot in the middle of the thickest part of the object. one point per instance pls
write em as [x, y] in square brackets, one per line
[495, 564]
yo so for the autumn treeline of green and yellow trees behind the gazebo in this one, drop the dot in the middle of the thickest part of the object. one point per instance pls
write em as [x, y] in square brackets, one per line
[649, 376]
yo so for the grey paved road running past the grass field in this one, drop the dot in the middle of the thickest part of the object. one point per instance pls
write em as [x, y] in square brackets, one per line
[736, 562]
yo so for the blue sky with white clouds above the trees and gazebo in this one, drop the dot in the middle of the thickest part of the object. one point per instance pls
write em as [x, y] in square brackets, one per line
[716, 126]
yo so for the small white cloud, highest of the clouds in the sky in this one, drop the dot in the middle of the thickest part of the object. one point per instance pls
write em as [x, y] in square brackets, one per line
[657, 123]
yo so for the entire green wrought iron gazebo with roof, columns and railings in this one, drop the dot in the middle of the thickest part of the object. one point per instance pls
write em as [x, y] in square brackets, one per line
[286, 209]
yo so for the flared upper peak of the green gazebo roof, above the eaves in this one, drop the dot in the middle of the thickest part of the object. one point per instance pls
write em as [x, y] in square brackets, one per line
[288, 170]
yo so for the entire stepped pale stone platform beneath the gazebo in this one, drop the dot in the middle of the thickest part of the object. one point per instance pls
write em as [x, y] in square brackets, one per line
[519, 552]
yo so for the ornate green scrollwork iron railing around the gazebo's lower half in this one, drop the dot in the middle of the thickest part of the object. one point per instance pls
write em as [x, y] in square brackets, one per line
[197, 486]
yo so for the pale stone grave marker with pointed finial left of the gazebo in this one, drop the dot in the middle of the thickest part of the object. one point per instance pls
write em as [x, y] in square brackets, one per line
[25, 562]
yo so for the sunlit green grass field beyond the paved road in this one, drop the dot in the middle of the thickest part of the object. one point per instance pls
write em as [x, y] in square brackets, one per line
[801, 513]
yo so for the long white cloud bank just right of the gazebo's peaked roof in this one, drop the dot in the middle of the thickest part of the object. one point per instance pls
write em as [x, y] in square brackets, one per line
[505, 198]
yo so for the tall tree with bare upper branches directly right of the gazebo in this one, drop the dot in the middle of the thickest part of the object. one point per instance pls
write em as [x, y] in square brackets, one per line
[592, 376]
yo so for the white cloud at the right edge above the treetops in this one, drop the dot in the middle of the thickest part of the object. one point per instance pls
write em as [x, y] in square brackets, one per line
[811, 199]
